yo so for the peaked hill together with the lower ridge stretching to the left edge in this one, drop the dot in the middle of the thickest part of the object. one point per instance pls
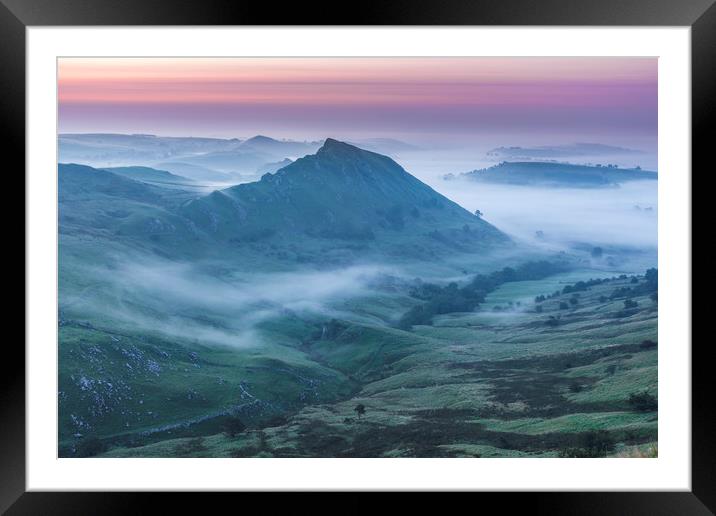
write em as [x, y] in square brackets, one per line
[338, 206]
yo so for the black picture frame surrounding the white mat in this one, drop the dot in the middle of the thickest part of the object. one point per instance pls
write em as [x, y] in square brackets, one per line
[17, 15]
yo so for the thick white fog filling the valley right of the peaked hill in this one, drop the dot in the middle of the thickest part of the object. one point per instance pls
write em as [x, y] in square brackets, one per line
[623, 215]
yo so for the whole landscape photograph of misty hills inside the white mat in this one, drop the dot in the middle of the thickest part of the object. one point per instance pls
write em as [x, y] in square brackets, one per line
[342, 257]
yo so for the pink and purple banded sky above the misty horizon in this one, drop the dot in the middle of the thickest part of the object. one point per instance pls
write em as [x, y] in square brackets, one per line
[589, 99]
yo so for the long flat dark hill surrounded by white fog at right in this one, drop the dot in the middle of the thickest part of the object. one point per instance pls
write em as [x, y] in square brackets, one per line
[556, 175]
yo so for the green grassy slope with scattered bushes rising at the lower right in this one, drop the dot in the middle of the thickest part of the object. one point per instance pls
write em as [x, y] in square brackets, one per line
[520, 388]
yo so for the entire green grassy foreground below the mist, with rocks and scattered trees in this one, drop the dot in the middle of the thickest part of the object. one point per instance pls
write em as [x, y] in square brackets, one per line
[481, 384]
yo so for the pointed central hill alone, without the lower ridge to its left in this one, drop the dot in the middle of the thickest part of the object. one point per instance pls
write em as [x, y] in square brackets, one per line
[341, 192]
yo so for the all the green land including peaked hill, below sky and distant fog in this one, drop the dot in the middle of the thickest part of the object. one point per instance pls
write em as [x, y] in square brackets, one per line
[268, 319]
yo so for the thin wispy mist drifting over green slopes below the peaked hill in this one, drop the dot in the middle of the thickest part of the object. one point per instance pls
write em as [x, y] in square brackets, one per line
[192, 302]
